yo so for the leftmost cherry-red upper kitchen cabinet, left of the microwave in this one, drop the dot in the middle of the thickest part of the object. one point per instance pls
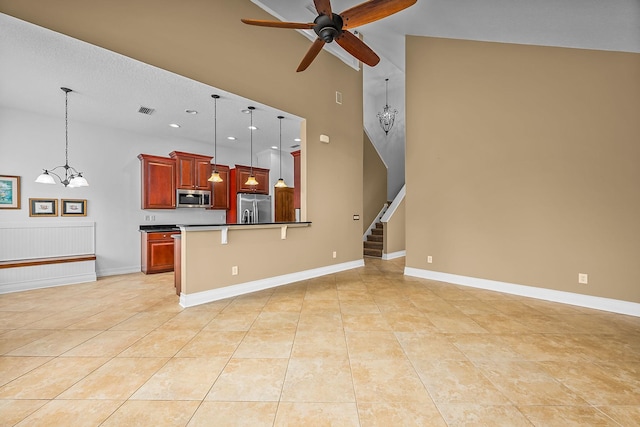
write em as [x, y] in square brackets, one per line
[158, 182]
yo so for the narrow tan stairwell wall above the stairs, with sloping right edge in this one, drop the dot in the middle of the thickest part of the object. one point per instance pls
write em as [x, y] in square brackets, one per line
[375, 184]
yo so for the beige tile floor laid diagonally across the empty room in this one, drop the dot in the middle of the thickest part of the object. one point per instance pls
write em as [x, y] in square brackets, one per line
[366, 347]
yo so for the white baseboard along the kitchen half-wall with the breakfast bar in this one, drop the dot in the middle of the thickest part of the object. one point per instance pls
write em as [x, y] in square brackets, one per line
[190, 300]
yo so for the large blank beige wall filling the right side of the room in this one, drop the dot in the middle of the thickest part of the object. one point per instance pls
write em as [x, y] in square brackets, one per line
[523, 164]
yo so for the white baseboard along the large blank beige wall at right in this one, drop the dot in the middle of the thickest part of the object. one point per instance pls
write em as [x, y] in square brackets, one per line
[588, 301]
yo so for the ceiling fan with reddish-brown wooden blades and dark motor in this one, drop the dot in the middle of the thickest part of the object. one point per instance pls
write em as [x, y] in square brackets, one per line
[331, 26]
